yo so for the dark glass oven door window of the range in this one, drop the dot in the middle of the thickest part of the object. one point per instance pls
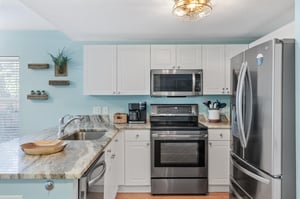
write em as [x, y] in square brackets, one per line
[179, 153]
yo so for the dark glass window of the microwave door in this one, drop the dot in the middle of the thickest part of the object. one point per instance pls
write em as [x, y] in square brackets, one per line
[173, 82]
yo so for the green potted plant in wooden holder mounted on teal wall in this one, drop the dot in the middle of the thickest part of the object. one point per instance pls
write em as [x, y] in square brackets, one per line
[60, 60]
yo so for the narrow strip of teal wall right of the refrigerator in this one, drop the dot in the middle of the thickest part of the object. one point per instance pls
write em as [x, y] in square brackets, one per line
[297, 34]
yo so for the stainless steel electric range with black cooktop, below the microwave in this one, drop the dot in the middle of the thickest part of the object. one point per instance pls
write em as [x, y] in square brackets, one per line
[178, 150]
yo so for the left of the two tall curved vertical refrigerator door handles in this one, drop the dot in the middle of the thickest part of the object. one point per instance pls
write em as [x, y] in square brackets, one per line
[239, 103]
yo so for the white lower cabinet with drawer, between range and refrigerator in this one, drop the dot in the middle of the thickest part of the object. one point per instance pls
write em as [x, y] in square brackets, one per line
[218, 159]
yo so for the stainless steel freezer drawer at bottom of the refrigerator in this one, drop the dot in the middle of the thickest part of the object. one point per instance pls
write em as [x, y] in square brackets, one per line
[248, 183]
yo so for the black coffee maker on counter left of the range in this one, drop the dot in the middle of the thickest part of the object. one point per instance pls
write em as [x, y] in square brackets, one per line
[137, 113]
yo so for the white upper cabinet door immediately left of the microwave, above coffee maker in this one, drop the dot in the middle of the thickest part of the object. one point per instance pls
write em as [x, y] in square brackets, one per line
[133, 65]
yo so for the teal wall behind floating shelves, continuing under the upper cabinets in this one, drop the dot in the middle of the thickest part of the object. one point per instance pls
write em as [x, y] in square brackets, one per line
[33, 47]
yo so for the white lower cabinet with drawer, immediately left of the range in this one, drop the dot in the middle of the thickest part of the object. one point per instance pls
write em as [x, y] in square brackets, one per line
[137, 157]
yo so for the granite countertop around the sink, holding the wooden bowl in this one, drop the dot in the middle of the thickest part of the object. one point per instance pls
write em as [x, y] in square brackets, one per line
[68, 164]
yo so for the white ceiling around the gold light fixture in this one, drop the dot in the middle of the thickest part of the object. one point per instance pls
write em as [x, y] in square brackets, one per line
[146, 20]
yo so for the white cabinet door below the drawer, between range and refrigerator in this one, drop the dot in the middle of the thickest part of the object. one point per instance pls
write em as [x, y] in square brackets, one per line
[218, 162]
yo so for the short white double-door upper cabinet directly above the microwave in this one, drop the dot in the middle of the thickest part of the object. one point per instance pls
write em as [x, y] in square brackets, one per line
[175, 56]
